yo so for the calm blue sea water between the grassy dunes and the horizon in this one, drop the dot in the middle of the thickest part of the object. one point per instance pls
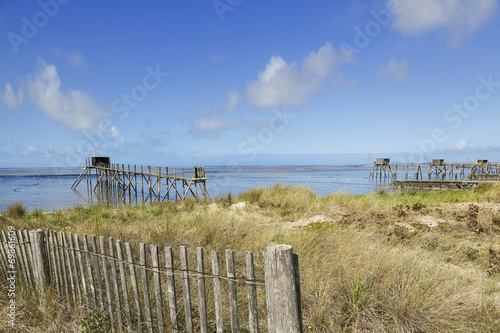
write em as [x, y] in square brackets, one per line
[50, 188]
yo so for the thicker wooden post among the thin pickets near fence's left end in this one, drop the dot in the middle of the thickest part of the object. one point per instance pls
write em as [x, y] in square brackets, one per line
[40, 261]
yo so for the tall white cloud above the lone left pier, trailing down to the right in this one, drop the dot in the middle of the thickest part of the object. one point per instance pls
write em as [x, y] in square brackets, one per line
[74, 109]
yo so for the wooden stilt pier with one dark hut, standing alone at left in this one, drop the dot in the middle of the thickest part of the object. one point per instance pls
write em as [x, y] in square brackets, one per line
[113, 182]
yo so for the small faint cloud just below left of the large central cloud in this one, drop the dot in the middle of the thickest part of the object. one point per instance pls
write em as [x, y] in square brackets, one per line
[210, 124]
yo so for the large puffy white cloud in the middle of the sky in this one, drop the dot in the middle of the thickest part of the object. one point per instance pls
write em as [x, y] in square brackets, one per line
[282, 84]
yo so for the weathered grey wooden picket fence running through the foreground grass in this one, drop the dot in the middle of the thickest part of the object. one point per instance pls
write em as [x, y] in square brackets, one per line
[151, 291]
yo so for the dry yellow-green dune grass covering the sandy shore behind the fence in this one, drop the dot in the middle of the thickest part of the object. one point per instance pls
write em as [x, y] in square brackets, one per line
[371, 266]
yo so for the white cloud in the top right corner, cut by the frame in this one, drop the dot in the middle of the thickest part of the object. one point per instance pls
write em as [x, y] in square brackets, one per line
[456, 19]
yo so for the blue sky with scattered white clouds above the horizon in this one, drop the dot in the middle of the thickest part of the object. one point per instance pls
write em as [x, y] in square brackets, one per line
[238, 82]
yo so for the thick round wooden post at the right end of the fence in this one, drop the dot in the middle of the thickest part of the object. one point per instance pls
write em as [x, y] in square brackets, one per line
[282, 290]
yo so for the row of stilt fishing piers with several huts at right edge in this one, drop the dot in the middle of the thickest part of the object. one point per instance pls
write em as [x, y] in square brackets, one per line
[436, 174]
